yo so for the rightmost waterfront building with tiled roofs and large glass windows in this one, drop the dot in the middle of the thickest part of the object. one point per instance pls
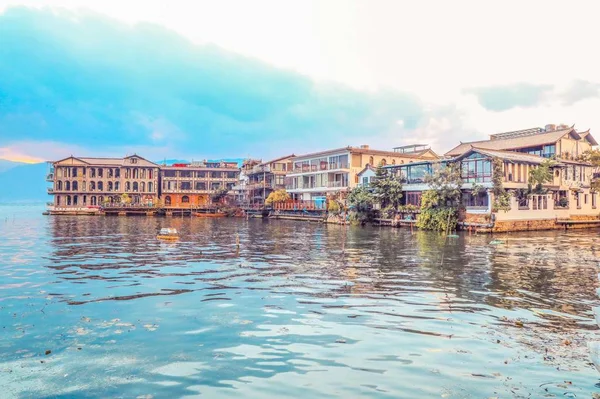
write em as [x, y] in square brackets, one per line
[568, 196]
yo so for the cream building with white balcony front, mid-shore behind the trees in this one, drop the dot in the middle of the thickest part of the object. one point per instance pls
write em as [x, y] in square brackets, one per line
[316, 175]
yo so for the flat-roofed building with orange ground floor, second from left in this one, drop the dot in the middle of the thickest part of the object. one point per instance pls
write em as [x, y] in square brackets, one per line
[192, 185]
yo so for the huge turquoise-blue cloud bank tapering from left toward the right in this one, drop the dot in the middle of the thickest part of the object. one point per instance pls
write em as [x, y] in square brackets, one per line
[89, 81]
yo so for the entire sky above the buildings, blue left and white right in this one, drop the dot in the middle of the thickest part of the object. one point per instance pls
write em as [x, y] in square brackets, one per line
[272, 77]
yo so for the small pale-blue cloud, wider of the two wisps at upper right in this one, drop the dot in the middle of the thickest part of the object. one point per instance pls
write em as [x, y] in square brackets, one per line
[505, 97]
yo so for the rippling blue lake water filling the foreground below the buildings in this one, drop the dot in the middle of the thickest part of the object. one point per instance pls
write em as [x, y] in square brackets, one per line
[298, 311]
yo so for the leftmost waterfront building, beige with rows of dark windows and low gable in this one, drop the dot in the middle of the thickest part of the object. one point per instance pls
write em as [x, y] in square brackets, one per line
[89, 182]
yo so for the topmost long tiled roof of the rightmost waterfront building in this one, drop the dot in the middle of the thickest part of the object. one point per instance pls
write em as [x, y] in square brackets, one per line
[514, 143]
